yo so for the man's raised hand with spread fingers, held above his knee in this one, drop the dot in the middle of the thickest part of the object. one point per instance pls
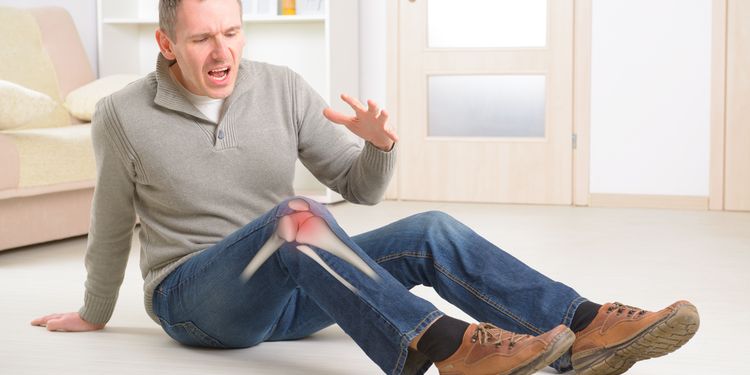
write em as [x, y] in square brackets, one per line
[369, 124]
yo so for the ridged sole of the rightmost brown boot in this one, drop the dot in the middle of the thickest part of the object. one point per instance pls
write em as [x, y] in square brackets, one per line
[662, 338]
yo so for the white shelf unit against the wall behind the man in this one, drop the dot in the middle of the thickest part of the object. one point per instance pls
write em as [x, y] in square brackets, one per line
[323, 48]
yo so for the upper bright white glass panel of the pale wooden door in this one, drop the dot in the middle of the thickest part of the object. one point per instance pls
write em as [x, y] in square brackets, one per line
[486, 23]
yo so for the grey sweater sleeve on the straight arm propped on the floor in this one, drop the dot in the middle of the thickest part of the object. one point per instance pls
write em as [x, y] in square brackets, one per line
[112, 217]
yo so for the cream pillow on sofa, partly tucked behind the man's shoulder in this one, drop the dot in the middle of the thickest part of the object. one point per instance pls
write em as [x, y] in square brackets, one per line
[81, 102]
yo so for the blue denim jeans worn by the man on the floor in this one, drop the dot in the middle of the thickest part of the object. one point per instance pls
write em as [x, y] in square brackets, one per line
[205, 303]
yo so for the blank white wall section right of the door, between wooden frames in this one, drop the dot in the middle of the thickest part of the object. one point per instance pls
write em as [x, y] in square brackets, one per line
[650, 126]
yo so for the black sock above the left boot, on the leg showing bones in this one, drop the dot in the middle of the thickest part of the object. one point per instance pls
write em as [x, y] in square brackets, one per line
[442, 338]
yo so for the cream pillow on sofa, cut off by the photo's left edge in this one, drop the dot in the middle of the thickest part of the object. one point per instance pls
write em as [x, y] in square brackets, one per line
[20, 105]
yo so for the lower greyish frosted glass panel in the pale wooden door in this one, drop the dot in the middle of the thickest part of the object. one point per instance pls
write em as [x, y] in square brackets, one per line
[486, 106]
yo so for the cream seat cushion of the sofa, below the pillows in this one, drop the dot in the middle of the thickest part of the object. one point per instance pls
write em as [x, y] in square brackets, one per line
[53, 155]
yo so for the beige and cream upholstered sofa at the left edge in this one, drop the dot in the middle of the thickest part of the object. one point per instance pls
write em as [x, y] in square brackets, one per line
[47, 167]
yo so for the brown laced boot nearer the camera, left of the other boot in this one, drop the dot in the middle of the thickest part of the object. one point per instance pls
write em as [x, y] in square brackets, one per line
[486, 350]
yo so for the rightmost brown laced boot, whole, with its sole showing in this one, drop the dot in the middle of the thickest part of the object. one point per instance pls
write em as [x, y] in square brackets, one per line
[621, 335]
